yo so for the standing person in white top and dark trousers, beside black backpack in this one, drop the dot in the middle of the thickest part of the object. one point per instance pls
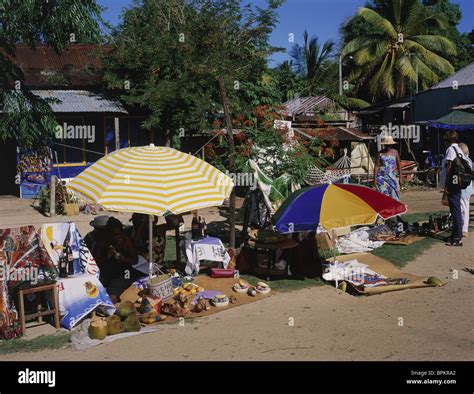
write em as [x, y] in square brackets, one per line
[452, 189]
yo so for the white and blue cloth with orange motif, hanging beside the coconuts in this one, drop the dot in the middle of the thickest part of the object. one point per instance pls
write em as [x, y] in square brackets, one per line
[80, 295]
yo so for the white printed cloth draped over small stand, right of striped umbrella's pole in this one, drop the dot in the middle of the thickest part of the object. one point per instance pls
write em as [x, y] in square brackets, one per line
[208, 248]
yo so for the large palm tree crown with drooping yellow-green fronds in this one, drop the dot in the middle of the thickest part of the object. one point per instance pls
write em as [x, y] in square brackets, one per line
[399, 51]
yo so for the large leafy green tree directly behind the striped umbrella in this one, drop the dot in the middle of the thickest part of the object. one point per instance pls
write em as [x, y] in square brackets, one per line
[167, 55]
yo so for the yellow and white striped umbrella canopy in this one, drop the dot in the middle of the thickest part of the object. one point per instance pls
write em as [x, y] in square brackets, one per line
[153, 180]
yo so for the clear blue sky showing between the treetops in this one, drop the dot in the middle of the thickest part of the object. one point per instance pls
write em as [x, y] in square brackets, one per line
[320, 17]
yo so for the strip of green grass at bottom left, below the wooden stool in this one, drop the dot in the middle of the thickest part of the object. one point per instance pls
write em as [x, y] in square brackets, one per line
[33, 345]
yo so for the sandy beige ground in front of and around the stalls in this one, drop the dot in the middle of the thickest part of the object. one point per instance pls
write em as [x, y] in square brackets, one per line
[417, 324]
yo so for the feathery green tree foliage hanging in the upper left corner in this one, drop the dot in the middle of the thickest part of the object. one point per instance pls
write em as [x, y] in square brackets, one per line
[26, 117]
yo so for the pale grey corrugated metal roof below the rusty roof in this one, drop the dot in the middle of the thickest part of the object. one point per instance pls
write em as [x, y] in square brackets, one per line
[80, 101]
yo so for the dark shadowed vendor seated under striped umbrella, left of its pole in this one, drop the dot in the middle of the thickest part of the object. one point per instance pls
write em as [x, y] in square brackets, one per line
[115, 255]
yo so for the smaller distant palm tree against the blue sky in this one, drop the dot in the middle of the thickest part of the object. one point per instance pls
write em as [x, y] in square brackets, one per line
[313, 62]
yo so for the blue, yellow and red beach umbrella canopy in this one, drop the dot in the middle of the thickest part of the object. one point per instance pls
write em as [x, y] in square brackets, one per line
[333, 206]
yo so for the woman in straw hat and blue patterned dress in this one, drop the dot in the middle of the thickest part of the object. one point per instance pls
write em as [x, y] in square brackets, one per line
[388, 170]
